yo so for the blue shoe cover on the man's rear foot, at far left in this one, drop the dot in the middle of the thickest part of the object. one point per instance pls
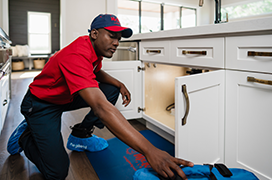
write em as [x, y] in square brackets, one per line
[13, 144]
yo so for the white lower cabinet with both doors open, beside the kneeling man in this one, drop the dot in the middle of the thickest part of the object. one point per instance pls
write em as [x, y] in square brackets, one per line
[156, 90]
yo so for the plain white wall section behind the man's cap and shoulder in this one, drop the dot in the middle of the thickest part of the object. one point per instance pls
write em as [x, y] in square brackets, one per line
[76, 16]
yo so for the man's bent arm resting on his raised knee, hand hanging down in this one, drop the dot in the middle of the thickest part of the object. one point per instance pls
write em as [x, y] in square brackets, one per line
[104, 77]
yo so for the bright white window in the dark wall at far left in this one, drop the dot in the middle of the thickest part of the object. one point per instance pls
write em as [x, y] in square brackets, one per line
[39, 32]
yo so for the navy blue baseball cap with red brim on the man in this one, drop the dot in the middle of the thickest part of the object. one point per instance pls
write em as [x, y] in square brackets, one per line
[110, 22]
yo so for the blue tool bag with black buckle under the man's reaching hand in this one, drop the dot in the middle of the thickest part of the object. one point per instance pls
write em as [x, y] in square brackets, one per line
[200, 172]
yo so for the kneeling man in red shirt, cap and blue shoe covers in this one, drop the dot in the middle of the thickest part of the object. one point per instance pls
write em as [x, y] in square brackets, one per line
[73, 79]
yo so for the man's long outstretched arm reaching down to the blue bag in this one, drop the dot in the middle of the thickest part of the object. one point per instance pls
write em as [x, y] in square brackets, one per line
[159, 160]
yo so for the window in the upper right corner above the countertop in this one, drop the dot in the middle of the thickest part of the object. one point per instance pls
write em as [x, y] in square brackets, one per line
[260, 7]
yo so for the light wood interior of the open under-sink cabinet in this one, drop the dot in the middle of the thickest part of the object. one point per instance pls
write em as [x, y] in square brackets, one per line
[160, 91]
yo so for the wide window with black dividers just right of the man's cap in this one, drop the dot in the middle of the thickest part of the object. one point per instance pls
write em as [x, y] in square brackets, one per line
[145, 16]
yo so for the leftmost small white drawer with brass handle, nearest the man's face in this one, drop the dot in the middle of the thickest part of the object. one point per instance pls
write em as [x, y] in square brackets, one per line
[154, 50]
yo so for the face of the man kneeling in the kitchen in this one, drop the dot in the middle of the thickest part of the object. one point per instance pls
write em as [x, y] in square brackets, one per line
[105, 42]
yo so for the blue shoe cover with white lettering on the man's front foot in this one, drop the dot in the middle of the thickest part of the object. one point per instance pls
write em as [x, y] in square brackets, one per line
[92, 144]
